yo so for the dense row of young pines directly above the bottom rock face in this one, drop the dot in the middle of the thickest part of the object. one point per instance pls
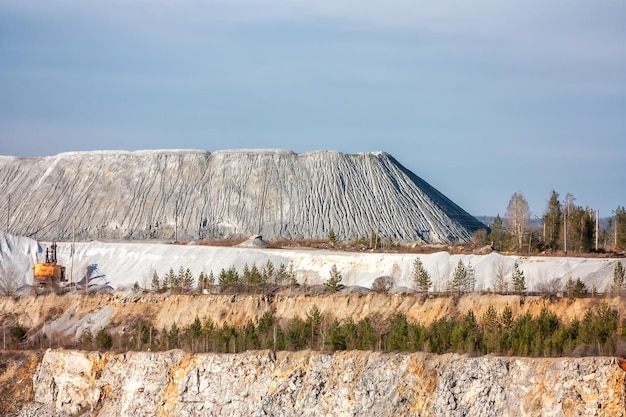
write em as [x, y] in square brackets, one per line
[597, 333]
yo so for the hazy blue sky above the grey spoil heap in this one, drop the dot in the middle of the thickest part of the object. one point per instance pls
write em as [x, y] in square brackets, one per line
[481, 99]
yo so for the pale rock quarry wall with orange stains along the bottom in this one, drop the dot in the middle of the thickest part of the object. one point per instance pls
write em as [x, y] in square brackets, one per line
[264, 383]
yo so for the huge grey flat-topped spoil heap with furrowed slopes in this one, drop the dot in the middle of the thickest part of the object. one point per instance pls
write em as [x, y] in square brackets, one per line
[192, 195]
